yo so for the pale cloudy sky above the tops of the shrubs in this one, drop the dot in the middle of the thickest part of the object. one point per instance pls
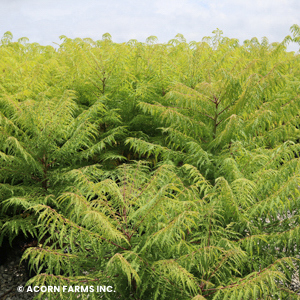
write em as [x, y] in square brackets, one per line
[43, 21]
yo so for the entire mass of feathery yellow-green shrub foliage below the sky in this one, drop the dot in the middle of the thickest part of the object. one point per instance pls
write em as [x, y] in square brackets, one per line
[202, 214]
